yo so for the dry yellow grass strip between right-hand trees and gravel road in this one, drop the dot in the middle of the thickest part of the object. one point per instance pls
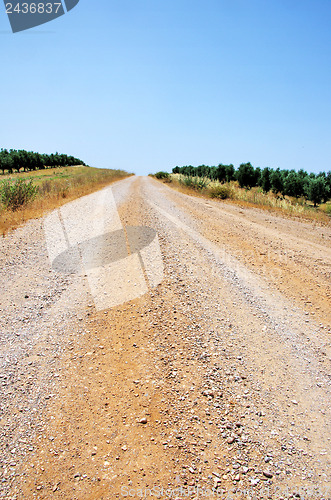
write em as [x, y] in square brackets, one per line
[255, 197]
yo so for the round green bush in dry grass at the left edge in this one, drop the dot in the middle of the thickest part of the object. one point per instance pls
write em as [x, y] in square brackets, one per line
[15, 195]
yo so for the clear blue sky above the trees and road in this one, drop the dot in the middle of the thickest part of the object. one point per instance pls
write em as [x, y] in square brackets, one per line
[148, 85]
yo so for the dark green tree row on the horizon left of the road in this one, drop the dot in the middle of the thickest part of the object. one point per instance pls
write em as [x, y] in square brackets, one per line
[16, 160]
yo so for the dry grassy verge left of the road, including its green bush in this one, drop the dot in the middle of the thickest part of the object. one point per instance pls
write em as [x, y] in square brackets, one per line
[29, 195]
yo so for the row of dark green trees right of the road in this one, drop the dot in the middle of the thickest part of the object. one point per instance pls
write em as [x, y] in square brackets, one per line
[314, 187]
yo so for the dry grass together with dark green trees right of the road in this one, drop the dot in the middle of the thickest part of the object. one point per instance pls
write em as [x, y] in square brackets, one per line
[296, 193]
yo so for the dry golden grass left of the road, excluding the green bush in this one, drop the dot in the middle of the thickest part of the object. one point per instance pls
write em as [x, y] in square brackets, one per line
[56, 186]
